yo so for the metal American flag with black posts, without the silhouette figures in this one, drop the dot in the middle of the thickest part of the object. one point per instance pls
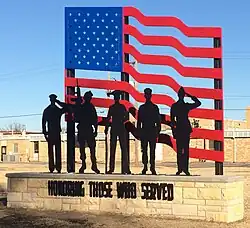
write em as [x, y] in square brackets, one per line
[97, 38]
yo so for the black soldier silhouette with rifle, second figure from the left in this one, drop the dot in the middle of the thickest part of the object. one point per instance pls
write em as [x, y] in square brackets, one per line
[86, 116]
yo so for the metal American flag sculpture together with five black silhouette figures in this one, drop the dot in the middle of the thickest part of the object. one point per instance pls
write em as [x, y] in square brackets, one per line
[97, 39]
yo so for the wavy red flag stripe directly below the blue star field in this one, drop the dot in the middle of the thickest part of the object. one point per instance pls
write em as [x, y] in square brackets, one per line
[156, 98]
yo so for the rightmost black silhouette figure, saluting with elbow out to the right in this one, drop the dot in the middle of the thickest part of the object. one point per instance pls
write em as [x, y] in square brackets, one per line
[182, 129]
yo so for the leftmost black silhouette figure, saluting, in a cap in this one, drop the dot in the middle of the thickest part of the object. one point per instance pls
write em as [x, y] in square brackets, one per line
[52, 117]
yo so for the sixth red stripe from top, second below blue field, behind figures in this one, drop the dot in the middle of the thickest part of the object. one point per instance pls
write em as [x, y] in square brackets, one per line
[197, 133]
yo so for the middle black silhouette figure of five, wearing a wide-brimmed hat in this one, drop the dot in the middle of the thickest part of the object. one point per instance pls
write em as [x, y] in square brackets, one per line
[119, 115]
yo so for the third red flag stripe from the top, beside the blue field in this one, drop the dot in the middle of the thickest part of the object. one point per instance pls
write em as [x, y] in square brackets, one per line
[197, 72]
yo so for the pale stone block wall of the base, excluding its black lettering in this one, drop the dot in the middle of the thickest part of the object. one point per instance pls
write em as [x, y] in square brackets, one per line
[218, 199]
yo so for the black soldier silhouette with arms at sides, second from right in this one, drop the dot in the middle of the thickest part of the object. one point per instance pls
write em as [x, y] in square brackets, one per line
[149, 127]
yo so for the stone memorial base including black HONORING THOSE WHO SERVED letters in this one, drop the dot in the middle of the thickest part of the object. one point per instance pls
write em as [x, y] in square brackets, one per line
[216, 198]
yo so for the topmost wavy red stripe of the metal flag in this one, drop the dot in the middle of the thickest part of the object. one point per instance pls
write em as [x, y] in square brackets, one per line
[205, 32]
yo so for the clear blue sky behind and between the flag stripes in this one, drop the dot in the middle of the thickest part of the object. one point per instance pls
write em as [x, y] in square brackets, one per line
[32, 51]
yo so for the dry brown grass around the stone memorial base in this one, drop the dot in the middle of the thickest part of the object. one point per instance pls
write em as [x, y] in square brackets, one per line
[31, 218]
